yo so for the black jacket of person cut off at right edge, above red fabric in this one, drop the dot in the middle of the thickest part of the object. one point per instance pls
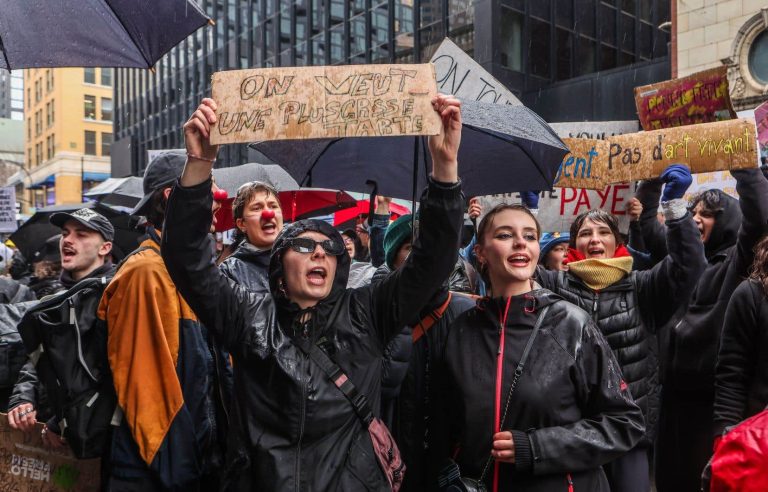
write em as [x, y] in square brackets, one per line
[741, 376]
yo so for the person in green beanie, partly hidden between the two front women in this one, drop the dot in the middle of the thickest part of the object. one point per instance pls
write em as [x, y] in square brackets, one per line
[406, 390]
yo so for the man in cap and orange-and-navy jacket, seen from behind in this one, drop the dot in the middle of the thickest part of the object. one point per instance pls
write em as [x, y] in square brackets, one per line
[163, 368]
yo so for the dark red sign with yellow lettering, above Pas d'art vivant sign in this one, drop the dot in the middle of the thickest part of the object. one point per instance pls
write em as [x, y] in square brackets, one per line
[699, 98]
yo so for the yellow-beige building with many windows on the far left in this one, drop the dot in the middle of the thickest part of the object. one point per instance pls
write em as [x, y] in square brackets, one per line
[67, 134]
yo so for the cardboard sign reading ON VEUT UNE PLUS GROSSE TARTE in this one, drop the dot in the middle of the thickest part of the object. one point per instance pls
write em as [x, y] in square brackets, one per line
[324, 102]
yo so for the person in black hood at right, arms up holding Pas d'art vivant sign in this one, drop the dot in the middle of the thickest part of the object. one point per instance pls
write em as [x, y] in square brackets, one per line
[729, 229]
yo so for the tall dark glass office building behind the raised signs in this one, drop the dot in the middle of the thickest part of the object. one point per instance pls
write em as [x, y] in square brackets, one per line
[527, 44]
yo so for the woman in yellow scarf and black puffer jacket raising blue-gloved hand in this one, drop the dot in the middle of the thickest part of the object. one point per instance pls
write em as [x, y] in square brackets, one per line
[630, 306]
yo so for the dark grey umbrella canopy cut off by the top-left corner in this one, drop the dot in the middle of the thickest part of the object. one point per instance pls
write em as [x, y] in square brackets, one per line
[93, 33]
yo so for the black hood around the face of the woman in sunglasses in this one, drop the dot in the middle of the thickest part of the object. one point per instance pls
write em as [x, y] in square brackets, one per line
[308, 225]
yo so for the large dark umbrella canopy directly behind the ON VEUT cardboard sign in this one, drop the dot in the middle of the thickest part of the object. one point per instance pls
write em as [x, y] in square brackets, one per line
[503, 149]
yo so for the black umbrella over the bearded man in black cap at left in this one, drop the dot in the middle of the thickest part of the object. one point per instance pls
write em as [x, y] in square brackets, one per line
[31, 236]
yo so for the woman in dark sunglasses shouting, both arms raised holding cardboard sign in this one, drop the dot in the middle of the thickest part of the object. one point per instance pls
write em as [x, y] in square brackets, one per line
[298, 426]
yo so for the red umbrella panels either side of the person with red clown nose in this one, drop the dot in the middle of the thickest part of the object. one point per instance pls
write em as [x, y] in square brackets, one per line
[296, 204]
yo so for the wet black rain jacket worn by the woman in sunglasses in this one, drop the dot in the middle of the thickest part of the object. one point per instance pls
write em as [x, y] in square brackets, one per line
[299, 430]
